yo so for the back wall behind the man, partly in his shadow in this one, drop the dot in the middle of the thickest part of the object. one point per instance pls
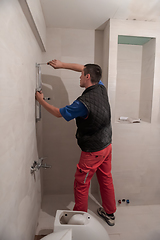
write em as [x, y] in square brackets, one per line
[62, 86]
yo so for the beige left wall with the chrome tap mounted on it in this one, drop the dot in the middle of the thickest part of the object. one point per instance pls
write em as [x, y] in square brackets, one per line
[20, 195]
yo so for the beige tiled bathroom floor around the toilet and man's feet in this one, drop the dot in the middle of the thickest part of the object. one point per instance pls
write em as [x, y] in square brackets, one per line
[132, 222]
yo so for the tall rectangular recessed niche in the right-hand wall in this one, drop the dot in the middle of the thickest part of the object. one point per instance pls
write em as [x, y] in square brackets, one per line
[135, 77]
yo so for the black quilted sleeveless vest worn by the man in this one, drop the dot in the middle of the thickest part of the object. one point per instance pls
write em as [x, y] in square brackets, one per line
[94, 133]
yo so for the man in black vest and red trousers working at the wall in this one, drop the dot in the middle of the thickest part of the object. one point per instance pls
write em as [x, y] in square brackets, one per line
[94, 136]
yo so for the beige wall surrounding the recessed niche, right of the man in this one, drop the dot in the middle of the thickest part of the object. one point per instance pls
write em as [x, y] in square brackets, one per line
[136, 151]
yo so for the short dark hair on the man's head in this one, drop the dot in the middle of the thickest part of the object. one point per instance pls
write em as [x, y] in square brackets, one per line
[95, 72]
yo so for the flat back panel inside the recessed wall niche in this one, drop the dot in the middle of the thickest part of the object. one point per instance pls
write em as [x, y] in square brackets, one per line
[129, 64]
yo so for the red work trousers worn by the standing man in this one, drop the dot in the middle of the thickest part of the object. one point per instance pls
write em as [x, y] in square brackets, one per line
[89, 163]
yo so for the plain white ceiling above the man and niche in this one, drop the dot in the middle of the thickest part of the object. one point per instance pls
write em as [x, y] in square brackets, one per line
[92, 14]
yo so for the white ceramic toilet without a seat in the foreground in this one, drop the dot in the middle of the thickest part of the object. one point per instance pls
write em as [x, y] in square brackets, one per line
[76, 225]
